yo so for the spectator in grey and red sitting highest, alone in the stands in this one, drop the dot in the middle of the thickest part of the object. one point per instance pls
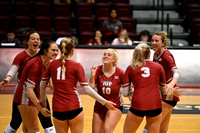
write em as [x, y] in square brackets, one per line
[112, 26]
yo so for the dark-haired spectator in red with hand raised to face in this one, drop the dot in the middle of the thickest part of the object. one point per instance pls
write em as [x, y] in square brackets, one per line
[98, 39]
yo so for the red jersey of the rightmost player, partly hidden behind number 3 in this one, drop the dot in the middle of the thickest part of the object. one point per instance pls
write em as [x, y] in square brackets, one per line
[166, 59]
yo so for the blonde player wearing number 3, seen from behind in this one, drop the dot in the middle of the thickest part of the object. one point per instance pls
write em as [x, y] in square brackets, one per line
[146, 76]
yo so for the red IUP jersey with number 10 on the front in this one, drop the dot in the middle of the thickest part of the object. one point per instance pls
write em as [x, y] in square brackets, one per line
[109, 87]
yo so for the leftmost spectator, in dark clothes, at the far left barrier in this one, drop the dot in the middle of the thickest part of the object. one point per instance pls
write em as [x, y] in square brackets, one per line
[11, 38]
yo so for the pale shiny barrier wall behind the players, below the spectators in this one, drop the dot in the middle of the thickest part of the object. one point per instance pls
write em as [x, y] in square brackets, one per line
[187, 61]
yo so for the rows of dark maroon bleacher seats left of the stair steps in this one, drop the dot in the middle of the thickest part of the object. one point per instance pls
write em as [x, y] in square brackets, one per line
[53, 20]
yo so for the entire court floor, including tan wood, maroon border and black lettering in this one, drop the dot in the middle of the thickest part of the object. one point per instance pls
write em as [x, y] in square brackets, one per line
[185, 116]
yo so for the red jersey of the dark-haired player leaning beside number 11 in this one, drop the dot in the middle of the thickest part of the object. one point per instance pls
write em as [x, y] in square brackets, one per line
[30, 78]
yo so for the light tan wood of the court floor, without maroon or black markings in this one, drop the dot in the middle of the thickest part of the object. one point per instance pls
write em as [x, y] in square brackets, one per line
[180, 123]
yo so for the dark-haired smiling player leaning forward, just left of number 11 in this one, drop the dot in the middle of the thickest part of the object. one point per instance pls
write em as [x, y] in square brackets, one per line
[27, 93]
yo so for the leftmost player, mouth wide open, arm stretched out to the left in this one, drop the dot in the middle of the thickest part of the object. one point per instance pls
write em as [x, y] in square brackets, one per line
[32, 43]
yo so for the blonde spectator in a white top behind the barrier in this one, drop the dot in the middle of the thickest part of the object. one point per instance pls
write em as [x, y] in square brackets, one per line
[123, 39]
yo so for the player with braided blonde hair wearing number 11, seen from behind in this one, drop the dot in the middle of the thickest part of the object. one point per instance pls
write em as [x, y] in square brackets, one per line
[66, 104]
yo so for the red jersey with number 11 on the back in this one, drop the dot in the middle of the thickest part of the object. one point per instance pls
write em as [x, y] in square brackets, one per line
[65, 94]
